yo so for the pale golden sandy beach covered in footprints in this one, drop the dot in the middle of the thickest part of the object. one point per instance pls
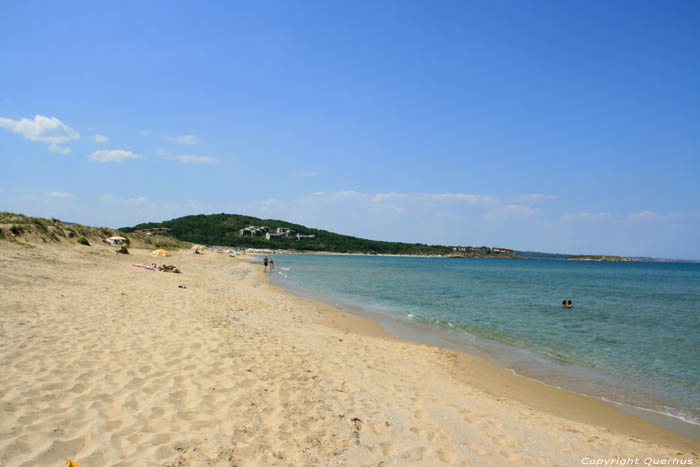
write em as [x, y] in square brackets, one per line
[112, 365]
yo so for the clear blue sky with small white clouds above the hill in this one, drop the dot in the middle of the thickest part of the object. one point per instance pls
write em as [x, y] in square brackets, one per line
[552, 126]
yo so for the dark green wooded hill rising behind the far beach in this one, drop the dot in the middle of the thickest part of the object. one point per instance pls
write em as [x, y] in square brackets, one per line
[224, 229]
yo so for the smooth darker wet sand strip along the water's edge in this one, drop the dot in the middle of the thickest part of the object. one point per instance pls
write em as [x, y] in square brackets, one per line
[529, 390]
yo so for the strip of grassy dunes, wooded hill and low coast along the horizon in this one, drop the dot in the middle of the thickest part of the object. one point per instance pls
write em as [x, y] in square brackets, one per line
[215, 230]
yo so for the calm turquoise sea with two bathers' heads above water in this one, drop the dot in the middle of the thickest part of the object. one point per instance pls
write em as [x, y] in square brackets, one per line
[633, 335]
